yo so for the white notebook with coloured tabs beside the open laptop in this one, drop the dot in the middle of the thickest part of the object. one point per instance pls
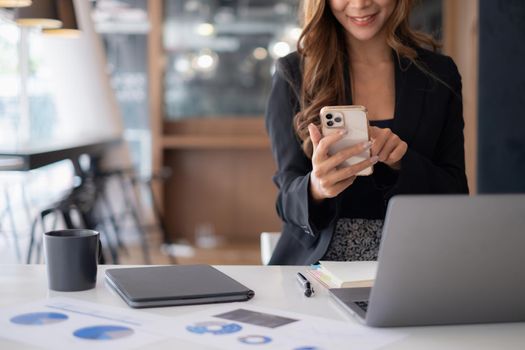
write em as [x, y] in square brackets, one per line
[345, 274]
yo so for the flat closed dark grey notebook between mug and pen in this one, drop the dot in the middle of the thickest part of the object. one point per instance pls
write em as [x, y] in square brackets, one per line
[175, 285]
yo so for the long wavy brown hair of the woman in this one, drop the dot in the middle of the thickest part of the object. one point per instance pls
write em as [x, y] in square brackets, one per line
[323, 48]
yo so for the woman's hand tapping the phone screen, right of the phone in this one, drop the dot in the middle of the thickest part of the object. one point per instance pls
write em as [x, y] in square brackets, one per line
[387, 146]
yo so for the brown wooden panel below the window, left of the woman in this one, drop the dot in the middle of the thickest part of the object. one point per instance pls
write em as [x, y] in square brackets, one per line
[229, 189]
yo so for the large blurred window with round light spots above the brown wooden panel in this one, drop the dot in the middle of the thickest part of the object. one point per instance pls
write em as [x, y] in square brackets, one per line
[220, 54]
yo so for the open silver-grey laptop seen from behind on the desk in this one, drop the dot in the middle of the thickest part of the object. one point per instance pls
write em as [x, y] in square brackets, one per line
[446, 260]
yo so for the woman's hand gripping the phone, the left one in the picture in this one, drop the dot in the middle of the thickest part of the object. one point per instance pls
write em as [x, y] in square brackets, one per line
[326, 179]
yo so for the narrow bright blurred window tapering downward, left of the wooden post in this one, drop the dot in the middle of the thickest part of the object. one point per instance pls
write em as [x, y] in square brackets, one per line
[124, 28]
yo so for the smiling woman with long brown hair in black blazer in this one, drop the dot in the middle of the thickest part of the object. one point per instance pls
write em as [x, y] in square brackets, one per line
[360, 52]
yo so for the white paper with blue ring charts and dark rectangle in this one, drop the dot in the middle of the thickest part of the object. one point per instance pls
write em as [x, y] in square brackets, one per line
[247, 327]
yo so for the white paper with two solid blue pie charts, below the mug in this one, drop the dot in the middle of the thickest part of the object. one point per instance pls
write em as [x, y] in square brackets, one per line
[64, 323]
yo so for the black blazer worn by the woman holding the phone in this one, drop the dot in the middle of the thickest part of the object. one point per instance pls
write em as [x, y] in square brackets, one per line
[428, 116]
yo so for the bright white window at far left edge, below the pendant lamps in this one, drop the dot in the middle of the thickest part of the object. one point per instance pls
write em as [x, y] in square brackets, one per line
[27, 107]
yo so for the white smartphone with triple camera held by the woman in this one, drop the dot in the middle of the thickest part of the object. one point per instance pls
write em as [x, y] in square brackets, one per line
[354, 120]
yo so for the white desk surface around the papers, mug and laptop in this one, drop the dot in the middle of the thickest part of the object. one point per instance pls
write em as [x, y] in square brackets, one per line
[274, 287]
